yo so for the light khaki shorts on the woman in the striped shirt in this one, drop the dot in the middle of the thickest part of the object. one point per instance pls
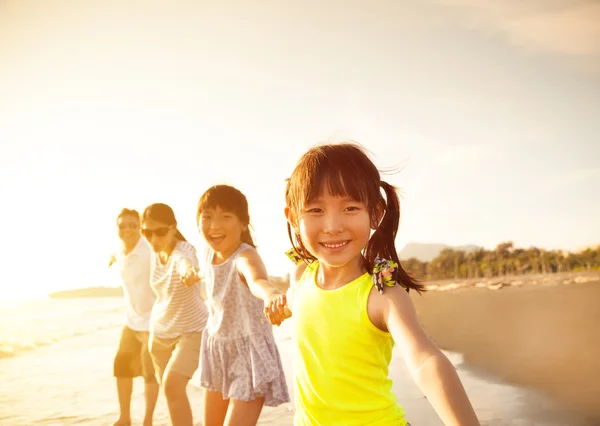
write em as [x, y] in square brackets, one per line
[181, 354]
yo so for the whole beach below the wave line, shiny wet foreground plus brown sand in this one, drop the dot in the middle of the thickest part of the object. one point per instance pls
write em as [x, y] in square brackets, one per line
[526, 353]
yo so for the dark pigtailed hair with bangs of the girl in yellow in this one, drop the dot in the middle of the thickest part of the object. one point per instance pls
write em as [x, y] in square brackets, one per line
[346, 170]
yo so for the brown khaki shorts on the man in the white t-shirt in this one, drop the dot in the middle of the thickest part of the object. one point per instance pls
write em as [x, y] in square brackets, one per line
[133, 358]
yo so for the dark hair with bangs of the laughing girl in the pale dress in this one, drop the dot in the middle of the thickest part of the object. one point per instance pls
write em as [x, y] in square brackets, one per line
[231, 200]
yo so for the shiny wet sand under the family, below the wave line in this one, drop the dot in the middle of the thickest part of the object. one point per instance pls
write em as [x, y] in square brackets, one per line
[70, 383]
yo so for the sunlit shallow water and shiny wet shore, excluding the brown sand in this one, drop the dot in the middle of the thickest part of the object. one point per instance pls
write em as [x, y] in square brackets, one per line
[56, 370]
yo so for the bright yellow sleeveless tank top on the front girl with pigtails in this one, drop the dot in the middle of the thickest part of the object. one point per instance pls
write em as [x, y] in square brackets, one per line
[341, 359]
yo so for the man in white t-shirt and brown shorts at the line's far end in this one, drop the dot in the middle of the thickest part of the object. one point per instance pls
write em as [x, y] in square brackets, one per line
[133, 358]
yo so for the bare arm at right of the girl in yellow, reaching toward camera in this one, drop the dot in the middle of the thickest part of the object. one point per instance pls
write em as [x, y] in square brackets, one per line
[429, 367]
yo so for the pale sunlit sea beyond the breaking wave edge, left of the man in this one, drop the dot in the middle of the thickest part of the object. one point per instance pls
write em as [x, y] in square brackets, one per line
[27, 325]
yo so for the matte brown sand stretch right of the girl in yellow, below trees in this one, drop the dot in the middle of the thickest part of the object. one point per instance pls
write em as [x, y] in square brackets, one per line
[541, 332]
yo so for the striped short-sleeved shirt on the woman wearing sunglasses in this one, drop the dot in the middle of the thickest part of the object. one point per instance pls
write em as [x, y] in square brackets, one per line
[178, 309]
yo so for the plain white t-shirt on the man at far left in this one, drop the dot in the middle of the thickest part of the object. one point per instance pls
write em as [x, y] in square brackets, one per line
[134, 268]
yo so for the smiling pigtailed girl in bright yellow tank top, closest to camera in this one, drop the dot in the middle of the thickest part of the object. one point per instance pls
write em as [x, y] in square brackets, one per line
[347, 311]
